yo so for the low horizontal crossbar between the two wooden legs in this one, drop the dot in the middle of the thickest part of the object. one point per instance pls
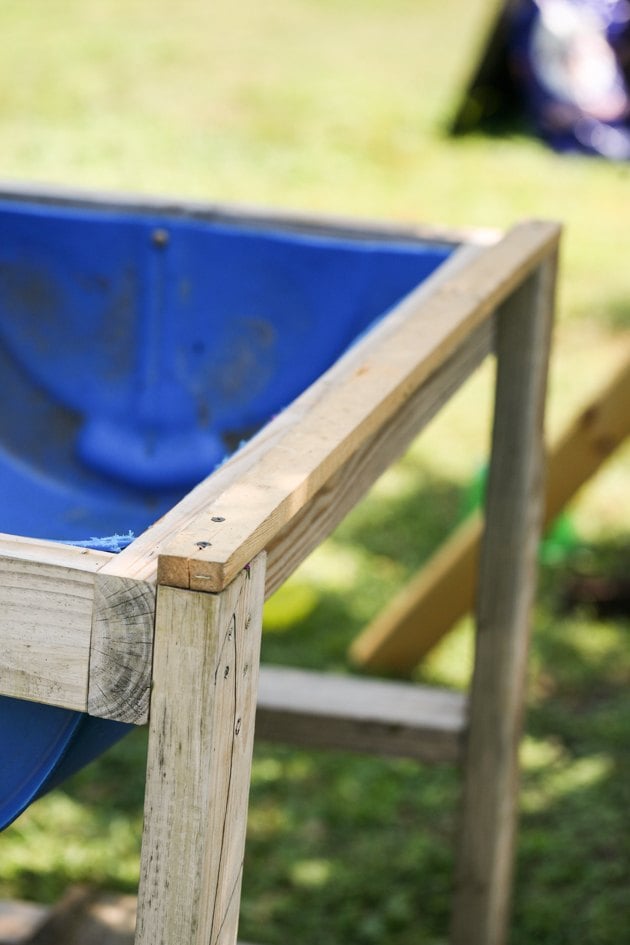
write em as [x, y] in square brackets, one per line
[320, 710]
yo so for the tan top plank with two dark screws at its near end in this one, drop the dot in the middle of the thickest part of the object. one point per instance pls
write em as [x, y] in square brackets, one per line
[208, 552]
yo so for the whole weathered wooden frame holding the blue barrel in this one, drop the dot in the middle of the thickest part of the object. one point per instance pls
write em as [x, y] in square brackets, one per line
[168, 630]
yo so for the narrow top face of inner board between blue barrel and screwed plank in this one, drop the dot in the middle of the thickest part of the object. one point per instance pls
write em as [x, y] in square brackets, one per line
[140, 559]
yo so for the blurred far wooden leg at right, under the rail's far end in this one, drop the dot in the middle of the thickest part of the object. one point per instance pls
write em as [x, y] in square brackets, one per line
[505, 596]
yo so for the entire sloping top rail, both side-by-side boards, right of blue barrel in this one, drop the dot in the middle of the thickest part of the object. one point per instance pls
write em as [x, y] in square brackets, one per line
[244, 506]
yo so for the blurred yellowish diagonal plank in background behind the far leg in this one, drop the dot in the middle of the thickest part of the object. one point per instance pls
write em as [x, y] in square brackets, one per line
[443, 591]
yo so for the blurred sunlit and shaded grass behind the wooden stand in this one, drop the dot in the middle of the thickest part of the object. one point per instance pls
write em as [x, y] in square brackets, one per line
[340, 106]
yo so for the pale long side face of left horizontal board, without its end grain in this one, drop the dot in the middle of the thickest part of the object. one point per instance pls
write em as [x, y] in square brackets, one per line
[46, 596]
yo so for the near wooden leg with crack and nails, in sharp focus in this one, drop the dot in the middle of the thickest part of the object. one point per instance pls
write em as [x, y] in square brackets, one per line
[203, 704]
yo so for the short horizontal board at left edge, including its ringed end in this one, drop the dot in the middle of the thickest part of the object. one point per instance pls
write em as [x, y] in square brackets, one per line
[70, 636]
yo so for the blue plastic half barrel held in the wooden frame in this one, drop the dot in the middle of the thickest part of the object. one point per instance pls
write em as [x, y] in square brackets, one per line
[137, 351]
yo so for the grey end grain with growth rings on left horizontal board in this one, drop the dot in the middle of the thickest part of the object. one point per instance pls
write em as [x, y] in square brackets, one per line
[121, 649]
